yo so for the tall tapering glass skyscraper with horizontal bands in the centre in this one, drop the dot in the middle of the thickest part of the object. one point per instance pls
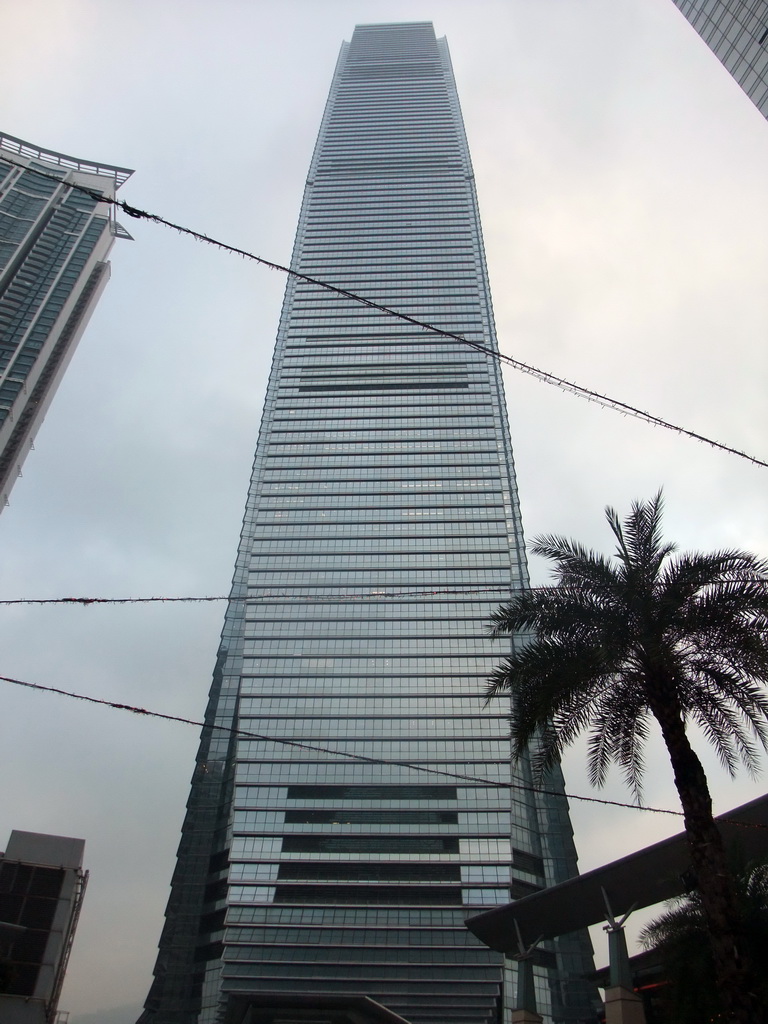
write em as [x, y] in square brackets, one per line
[367, 805]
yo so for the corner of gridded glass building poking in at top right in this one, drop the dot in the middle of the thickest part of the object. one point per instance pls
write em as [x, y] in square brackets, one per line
[737, 31]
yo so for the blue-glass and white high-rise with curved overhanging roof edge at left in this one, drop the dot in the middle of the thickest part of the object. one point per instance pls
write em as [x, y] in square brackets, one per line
[54, 247]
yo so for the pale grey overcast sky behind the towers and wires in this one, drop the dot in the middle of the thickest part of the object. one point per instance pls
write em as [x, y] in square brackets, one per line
[622, 184]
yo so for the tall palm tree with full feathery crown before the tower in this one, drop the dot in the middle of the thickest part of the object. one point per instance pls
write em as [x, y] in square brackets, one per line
[615, 644]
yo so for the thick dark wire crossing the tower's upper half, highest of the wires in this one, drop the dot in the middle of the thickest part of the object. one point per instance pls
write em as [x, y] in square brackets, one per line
[542, 375]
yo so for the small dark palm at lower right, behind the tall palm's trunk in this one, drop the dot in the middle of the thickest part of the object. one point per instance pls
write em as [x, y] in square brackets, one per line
[679, 940]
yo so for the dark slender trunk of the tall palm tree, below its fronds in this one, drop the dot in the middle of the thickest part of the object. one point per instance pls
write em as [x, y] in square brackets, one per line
[713, 878]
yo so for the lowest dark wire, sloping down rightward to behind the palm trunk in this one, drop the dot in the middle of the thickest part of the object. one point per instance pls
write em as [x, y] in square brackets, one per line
[244, 735]
